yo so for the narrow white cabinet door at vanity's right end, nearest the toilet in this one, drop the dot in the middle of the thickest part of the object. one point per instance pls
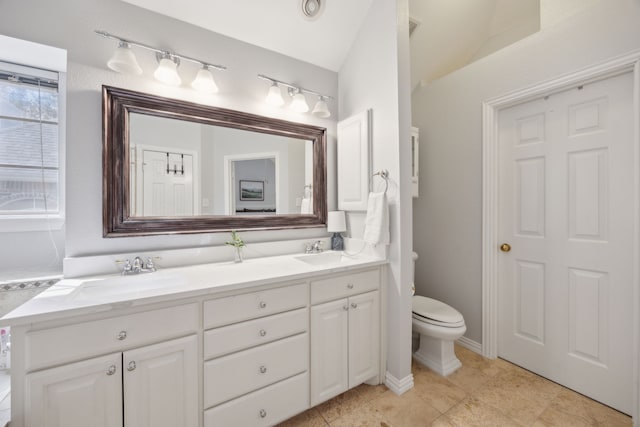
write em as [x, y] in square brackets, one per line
[364, 337]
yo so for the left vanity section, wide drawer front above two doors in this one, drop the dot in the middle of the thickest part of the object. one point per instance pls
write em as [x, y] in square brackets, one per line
[135, 385]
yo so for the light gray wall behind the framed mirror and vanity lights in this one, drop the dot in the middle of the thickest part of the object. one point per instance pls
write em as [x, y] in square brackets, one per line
[69, 24]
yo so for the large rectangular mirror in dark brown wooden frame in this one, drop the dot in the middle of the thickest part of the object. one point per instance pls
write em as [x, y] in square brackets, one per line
[172, 166]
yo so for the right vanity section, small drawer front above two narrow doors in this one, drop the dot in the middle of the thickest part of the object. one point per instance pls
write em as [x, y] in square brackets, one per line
[345, 333]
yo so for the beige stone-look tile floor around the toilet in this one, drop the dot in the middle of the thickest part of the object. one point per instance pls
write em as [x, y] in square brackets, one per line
[481, 393]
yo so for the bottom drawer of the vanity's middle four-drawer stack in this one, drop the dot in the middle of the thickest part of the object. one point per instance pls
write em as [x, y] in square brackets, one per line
[265, 407]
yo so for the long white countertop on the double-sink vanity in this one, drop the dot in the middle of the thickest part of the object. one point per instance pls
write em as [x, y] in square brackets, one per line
[99, 294]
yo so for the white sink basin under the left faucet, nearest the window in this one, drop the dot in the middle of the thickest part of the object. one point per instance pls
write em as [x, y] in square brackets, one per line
[119, 286]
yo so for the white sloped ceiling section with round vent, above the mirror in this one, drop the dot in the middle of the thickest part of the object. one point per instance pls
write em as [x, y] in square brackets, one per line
[277, 25]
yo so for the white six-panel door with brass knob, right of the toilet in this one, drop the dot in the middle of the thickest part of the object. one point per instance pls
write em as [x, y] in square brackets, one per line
[566, 267]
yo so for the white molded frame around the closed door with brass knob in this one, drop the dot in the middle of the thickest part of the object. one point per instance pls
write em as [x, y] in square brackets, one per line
[490, 196]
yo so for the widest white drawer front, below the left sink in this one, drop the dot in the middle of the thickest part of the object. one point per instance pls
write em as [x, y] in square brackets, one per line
[53, 346]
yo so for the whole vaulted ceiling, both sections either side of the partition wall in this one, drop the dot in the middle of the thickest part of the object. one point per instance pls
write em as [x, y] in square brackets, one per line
[450, 34]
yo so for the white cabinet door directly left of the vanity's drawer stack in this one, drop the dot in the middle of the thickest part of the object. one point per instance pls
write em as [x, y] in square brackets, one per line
[161, 385]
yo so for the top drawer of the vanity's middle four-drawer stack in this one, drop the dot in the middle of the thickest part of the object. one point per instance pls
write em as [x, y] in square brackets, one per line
[224, 311]
